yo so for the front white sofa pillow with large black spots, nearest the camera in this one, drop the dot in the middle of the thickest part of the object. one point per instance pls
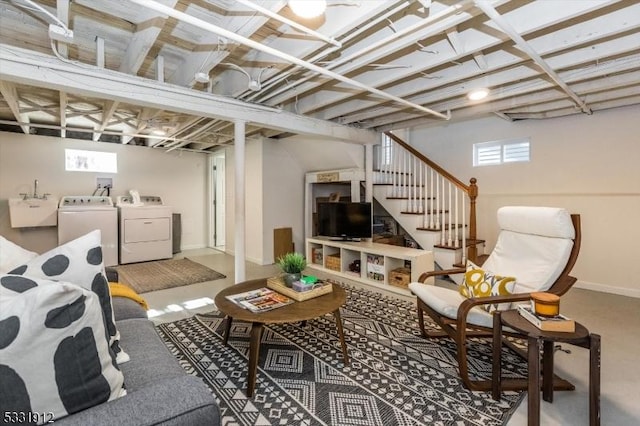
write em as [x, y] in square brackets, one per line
[54, 352]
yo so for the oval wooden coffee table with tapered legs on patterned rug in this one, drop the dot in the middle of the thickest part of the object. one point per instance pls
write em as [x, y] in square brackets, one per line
[295, 312]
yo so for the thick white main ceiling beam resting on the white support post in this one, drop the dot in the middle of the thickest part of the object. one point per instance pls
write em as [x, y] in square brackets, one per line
[26, 67]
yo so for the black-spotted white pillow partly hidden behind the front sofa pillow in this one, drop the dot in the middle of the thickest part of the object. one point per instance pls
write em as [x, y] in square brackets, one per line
[79, 262]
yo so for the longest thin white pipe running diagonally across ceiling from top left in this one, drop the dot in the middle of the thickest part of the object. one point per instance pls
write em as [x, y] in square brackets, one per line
[266, 49]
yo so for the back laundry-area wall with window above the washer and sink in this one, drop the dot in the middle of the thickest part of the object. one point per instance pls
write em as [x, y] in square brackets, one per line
[178, 177]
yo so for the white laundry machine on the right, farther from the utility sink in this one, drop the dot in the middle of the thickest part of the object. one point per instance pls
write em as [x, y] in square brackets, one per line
[145, 229]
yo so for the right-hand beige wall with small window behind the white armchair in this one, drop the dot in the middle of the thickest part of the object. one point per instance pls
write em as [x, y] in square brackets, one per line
[587, 164]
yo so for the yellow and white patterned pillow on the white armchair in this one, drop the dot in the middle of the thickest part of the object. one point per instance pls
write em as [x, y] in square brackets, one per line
[480, 283]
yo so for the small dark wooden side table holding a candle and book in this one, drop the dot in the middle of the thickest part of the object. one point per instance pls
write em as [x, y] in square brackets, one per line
[581, 337]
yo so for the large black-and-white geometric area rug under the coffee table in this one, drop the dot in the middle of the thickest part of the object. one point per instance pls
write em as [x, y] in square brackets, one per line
[395, 377]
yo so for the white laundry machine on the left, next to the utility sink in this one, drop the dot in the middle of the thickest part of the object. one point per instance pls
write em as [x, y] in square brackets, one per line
[80, 214]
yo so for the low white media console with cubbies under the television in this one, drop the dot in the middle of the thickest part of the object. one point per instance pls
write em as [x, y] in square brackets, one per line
[377, 261]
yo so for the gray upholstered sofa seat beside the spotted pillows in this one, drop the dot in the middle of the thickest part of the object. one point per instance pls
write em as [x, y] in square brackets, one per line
[159, 391]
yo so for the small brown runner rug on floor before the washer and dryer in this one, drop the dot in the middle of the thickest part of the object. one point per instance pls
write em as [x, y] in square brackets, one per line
[161, 274]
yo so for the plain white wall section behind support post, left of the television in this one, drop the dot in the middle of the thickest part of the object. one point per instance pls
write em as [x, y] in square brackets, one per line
[275, 173]
